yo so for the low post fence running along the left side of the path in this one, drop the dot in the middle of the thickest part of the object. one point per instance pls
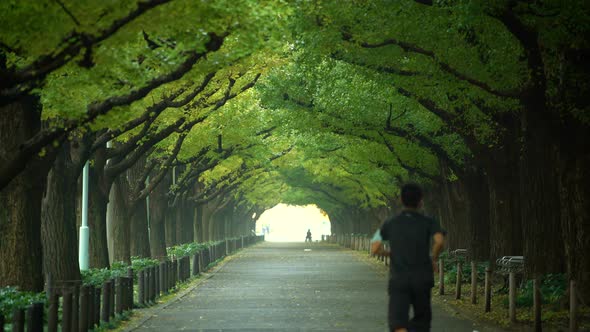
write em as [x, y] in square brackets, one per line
[85, 307]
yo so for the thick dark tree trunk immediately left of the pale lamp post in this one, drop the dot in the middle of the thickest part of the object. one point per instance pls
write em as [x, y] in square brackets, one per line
[58, 236]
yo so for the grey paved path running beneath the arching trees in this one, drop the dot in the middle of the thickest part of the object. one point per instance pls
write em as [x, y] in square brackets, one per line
[287, 287]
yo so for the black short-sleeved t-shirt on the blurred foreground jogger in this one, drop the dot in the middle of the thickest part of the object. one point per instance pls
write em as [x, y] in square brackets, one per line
[409, 235]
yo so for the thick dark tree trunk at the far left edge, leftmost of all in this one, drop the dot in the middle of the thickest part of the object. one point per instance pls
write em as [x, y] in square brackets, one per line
[20, 201]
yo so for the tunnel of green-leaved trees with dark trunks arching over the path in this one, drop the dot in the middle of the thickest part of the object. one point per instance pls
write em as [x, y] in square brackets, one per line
[218, 111]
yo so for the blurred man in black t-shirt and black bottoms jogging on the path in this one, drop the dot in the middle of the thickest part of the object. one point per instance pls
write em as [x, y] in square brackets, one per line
[411, 267]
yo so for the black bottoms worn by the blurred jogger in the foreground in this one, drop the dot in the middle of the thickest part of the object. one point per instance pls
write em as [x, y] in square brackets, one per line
[404, 292]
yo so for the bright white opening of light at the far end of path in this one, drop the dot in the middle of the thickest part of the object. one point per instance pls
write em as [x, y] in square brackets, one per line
[289, 223]
